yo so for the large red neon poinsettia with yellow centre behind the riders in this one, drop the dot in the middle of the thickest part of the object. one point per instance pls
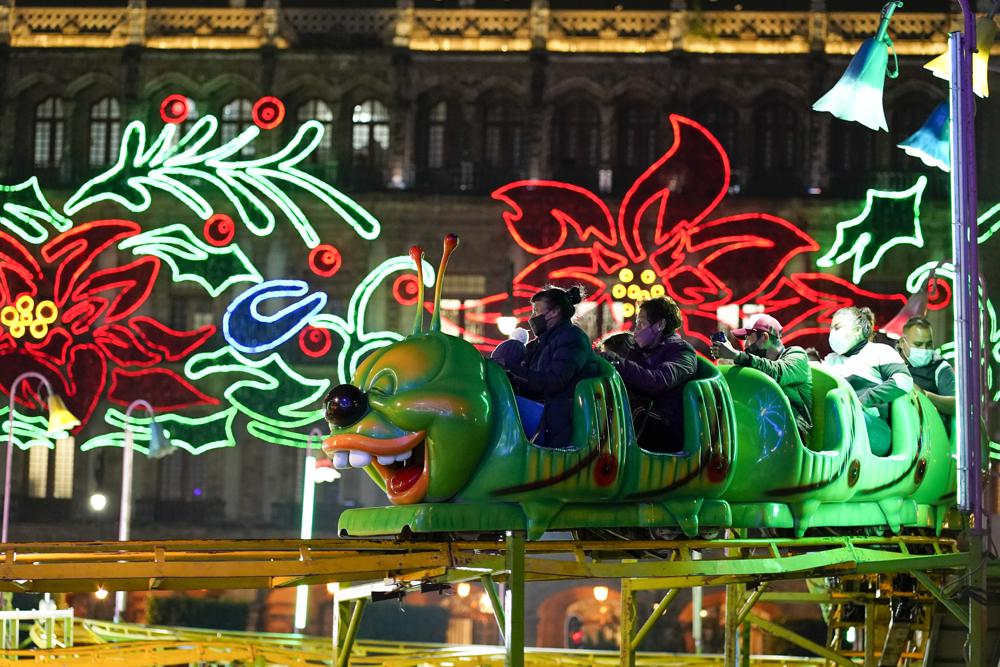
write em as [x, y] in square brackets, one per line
[664, 240]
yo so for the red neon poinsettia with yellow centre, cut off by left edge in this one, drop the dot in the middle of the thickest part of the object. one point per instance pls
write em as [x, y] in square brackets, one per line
[74, 322]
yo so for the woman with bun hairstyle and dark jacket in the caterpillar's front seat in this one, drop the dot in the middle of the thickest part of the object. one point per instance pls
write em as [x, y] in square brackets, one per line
[558, 358]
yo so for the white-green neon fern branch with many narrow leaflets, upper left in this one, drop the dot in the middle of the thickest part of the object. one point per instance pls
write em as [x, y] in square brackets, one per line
[254, 188]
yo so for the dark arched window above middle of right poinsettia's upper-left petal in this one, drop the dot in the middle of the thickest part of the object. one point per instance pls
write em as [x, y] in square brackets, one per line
[577, 147]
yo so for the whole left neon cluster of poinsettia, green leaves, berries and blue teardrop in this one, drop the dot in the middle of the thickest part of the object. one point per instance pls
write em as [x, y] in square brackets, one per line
[62, 313]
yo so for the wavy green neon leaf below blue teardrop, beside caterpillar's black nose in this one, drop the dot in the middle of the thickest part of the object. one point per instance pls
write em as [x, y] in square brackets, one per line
[271, 393]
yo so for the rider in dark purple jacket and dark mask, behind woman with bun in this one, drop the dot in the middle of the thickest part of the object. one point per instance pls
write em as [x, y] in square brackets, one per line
[654, 371]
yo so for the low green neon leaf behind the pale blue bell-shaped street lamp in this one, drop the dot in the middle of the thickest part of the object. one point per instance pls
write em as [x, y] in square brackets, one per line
[195, 435]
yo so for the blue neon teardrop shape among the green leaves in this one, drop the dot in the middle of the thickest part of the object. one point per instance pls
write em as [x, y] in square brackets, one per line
[250, 331]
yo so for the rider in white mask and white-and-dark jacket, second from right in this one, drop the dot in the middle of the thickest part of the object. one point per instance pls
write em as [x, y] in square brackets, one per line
[875, 370]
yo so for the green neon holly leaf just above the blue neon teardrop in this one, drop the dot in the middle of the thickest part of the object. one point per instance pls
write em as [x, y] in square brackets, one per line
[191, 259]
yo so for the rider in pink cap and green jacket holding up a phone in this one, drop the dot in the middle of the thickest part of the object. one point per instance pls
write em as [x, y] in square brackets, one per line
[788, 366]
